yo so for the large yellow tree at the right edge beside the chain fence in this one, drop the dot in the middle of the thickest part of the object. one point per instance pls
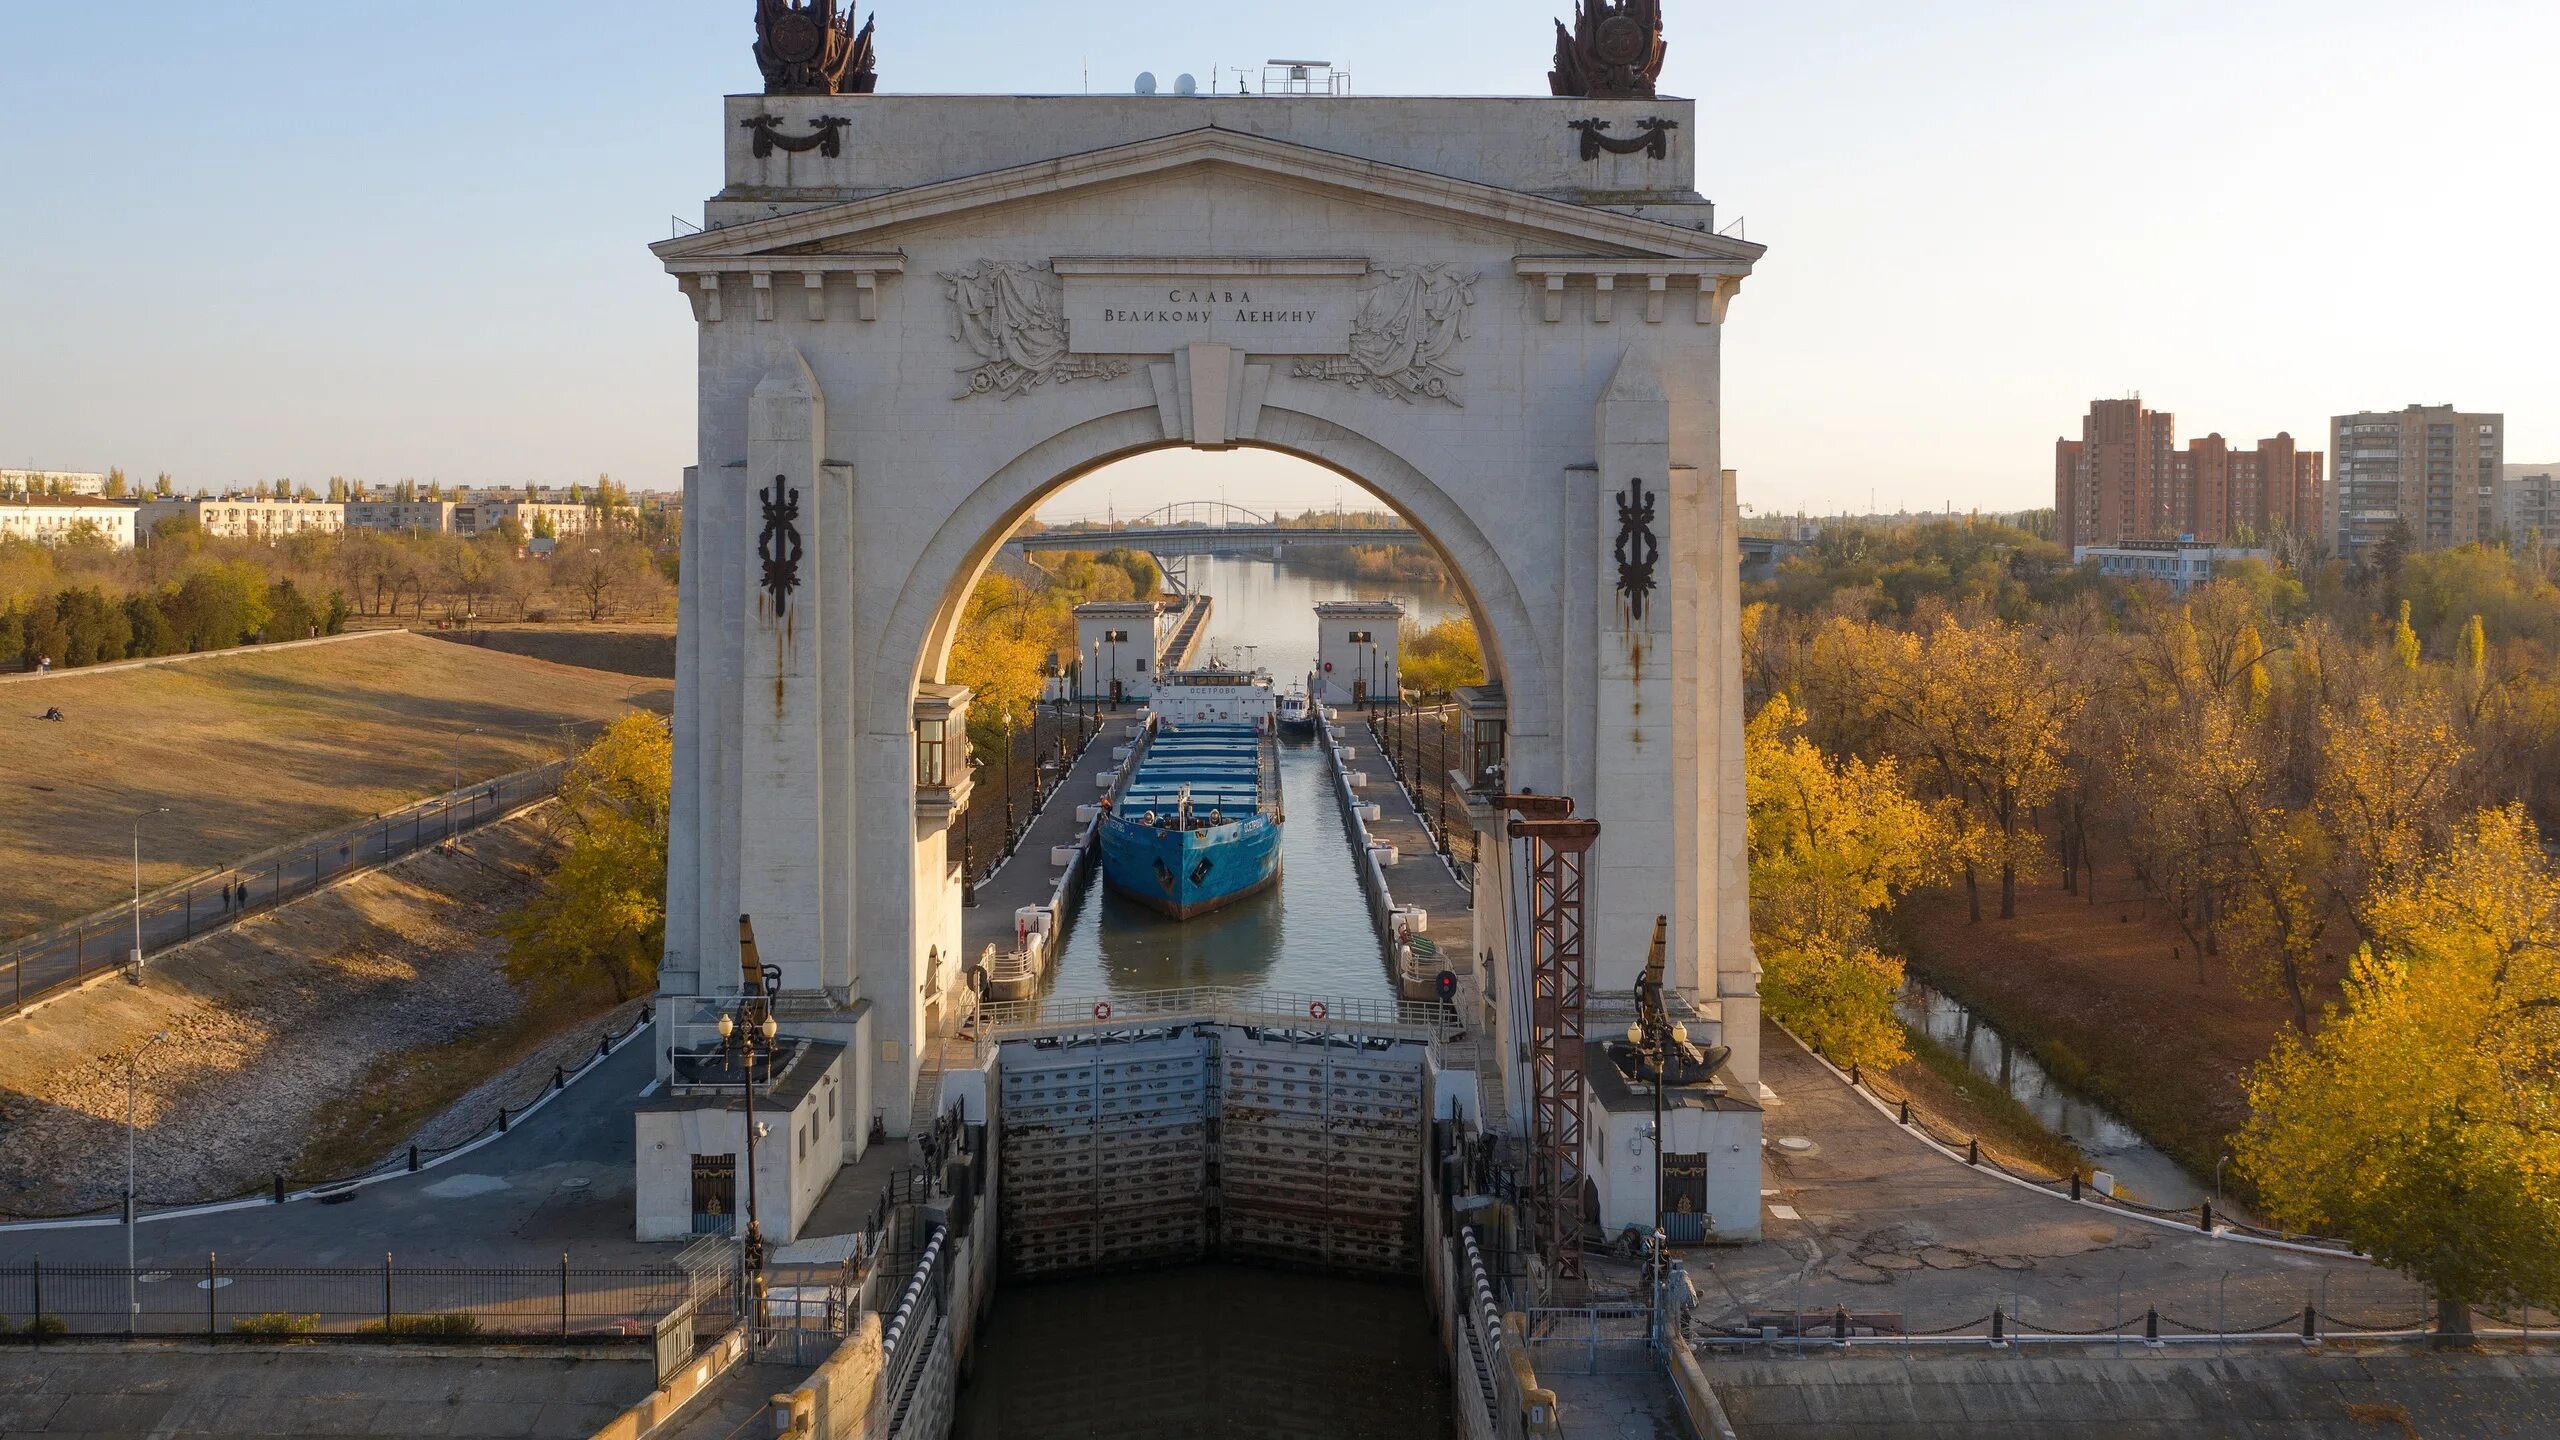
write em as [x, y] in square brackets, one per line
[2426, 1118]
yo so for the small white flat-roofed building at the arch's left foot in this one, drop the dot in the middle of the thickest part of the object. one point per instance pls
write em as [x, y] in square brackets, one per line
[692, 1141]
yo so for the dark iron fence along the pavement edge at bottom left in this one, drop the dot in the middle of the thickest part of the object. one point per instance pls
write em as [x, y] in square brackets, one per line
[339, 1303]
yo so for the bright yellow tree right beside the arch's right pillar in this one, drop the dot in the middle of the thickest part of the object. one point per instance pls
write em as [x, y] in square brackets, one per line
[1834, 842]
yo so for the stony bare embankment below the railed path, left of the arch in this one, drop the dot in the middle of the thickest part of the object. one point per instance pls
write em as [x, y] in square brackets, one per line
[275, 1034]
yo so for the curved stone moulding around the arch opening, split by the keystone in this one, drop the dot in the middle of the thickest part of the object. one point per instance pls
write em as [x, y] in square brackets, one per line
[923, 626]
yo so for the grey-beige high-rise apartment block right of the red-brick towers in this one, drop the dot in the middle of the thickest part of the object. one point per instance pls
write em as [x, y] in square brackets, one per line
[2428, 468]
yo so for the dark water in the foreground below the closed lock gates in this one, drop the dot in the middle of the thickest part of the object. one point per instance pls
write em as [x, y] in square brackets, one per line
[1207, 1352]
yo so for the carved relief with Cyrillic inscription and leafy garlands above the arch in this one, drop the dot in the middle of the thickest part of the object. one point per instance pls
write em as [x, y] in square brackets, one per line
[1379, 329]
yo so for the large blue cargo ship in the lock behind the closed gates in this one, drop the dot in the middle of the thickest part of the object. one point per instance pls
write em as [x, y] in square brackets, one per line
[1197, 824]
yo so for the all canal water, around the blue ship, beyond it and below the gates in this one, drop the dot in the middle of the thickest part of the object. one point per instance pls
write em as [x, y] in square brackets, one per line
[1228, 1349]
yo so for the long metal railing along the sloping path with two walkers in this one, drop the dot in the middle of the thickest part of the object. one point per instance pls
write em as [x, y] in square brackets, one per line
[73, 952]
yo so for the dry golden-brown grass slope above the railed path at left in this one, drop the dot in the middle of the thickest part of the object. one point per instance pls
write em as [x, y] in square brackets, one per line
[257, 749]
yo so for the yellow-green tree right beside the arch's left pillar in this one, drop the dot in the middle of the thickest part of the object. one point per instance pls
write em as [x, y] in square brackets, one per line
[600, 916]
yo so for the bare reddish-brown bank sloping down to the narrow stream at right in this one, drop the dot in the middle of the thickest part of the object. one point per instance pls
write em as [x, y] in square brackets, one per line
[2111, 1001]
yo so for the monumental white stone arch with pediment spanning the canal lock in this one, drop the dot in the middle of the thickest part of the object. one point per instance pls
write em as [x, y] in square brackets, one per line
[923, 314]
